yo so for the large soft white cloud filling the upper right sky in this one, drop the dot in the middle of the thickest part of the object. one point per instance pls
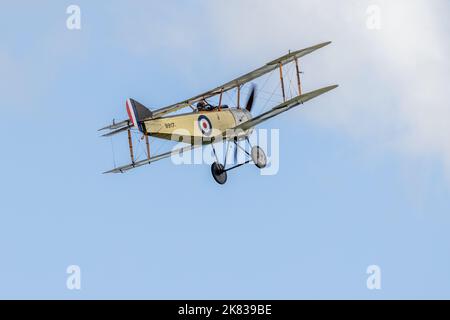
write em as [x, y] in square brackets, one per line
[394, 81]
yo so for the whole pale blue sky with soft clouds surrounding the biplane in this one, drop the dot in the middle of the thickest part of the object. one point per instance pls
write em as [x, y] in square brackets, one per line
[364, 170]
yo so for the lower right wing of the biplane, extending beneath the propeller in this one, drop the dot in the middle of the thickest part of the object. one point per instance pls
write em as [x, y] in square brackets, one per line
[282, 108]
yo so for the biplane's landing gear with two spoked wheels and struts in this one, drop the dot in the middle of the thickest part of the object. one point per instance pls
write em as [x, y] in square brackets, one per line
[218, 170]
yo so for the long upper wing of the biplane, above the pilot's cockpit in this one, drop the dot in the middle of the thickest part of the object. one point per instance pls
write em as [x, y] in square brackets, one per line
[239, 81]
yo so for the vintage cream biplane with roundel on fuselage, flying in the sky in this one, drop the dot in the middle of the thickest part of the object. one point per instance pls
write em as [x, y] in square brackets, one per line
[207, 123]
